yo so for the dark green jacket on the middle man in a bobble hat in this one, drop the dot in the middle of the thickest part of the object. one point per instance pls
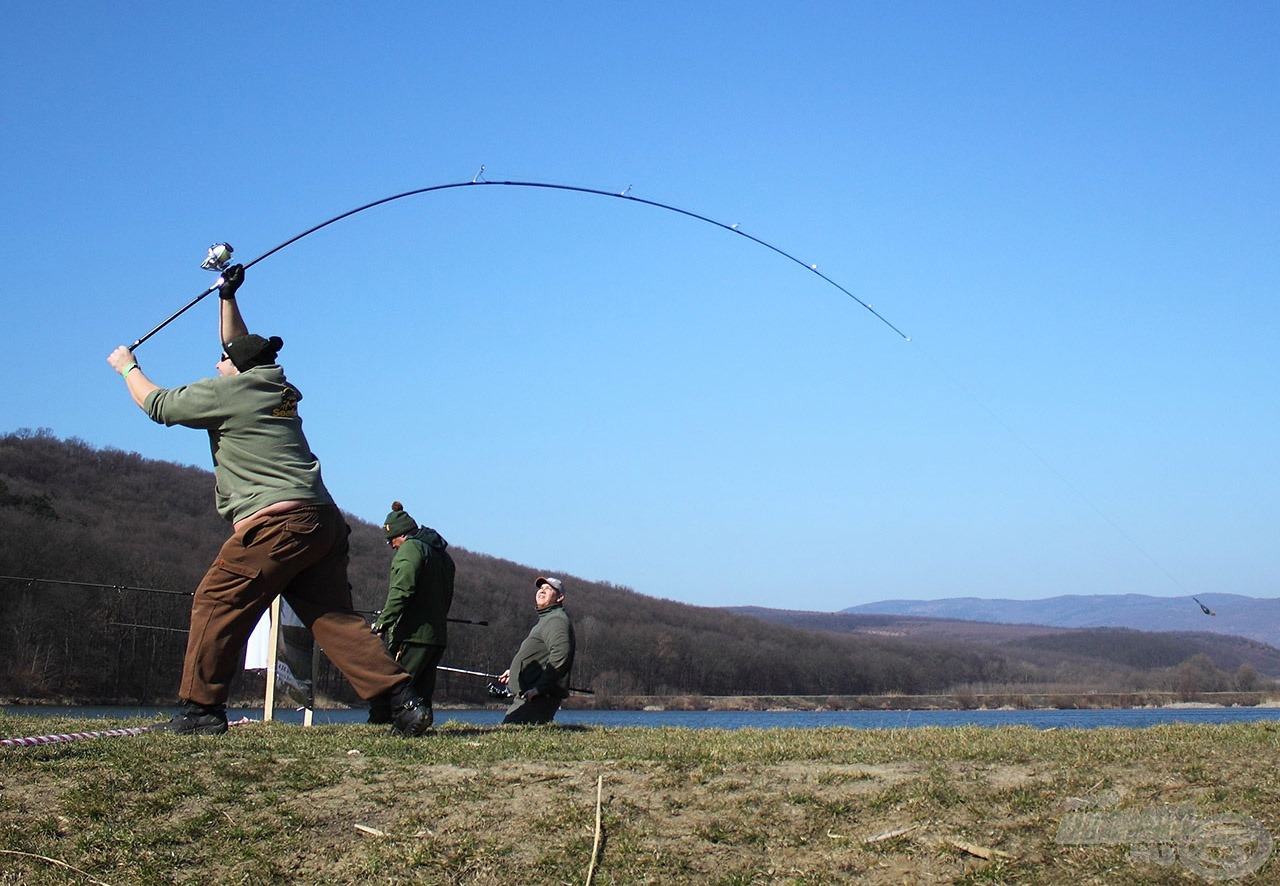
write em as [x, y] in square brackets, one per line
[420, 593]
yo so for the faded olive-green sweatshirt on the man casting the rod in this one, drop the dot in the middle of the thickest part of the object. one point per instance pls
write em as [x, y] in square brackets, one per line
[255, 436]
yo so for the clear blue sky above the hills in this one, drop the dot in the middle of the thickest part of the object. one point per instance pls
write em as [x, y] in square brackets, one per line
[1071, 208]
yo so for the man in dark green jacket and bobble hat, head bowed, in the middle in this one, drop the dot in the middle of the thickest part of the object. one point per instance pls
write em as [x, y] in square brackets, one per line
[414, 620]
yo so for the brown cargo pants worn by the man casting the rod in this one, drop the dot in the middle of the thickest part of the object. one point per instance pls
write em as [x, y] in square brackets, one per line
[301, 555]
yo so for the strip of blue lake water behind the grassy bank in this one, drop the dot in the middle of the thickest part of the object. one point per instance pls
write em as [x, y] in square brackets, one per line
[1119, 718]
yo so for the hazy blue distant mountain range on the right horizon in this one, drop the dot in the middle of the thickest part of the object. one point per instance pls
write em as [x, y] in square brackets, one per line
[1258, 619]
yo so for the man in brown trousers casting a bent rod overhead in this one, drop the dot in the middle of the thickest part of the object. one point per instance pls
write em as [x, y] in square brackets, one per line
[290, 538]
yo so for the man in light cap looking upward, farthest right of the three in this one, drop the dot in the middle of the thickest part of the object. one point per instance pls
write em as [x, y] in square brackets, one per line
[542, 665]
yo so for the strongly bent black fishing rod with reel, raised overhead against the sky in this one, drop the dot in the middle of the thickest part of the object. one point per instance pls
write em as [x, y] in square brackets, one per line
[220, 258]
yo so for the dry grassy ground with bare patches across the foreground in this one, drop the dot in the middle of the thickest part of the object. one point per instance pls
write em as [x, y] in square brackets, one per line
[350, 805]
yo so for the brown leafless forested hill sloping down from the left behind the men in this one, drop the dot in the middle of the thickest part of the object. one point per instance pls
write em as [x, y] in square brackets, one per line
[147, 529]
